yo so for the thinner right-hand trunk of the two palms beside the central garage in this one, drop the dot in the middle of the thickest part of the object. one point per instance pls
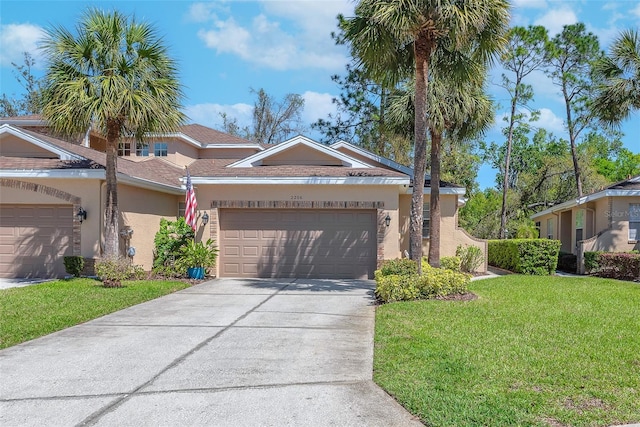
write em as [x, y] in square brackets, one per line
[434, 201]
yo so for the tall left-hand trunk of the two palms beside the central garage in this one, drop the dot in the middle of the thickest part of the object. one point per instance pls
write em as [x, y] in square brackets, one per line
[422, 50]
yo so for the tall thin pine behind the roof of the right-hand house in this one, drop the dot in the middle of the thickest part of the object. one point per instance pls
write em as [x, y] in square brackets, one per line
[571, 55]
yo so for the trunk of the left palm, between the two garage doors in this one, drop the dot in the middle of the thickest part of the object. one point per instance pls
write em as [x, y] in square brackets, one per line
[111, 237]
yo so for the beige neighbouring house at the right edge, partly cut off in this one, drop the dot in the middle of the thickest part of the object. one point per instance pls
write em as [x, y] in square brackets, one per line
[607, 220]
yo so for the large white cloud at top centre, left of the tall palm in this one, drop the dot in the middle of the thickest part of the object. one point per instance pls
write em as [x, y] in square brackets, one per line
[287, 35]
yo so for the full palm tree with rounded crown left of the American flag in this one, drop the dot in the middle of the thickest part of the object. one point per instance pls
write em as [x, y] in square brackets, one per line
[115, 77]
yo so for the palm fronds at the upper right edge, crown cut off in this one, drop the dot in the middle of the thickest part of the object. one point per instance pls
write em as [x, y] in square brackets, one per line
[619, 80]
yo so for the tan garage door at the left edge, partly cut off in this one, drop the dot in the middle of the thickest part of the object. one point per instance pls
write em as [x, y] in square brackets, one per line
[34, 239]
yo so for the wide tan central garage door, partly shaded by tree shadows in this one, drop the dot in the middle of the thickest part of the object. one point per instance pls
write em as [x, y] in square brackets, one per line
[297, 243]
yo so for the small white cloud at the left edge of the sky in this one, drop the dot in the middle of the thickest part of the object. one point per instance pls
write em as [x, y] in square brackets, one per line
[18, 38]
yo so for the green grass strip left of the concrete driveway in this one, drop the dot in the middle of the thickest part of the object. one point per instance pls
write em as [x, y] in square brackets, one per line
[33, 311]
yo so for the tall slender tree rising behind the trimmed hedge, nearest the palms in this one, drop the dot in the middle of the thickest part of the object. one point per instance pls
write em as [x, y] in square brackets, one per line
[523, 55]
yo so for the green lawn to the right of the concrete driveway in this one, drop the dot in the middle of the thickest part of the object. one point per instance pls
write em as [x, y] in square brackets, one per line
[530, 350]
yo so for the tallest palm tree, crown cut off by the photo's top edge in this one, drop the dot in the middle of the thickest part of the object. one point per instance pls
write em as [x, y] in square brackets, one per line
[394, 39]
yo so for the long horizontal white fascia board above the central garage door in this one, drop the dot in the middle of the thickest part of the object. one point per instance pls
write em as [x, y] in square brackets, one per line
[312, 180]
